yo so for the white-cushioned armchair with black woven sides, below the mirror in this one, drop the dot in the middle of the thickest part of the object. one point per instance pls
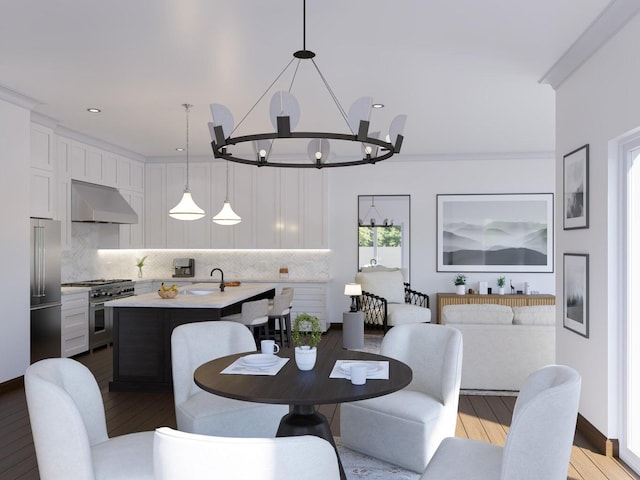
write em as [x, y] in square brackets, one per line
[388, 301]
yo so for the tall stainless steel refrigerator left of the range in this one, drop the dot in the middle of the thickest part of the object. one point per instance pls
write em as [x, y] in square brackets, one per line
[46, 306]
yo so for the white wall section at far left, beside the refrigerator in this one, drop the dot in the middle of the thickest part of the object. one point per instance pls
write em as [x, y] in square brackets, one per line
[15, 125]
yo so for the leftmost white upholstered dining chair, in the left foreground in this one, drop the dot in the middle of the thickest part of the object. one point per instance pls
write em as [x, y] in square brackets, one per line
[69, 427]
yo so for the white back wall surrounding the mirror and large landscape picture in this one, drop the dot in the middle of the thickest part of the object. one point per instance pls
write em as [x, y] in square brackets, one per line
[423, 180]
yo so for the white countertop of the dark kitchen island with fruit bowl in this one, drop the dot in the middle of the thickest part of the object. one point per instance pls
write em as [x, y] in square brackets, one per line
[215, 299]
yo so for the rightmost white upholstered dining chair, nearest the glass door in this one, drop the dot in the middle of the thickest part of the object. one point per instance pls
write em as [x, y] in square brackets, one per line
[539, 441]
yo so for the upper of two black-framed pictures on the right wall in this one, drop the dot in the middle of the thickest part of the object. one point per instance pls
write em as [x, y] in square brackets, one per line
[575, 190]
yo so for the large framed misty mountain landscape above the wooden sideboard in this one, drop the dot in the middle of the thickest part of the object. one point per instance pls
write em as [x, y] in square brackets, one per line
[495, 233]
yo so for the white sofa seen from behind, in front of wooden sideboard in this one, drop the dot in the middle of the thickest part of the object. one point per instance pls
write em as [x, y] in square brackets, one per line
[502, 345]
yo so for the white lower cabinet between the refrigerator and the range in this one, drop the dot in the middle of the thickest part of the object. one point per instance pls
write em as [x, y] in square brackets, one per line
[75, 323]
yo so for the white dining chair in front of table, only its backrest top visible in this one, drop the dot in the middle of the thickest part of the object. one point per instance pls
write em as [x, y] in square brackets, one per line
[187, 456]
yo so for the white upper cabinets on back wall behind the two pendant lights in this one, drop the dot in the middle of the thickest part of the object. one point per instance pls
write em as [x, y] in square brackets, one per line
[280, 208]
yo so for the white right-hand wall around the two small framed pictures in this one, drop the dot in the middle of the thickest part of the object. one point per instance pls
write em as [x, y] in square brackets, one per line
[597, 104]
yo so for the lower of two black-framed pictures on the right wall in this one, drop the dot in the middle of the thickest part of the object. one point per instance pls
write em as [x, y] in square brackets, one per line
[575, 307]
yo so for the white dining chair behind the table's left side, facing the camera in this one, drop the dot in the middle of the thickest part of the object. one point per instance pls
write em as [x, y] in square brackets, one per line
[197, 411]
